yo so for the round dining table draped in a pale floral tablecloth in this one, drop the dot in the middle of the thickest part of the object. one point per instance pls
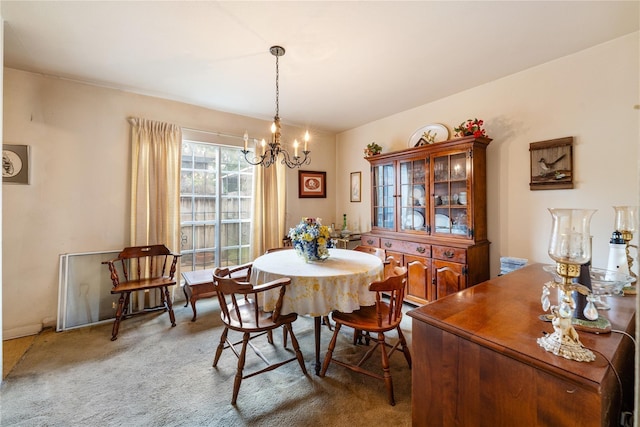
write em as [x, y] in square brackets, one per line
[340, 282]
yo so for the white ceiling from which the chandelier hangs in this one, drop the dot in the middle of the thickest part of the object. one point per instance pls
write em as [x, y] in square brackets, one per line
[347, 62]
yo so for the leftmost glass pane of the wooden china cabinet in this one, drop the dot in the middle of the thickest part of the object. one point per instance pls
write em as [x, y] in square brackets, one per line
[383, 180]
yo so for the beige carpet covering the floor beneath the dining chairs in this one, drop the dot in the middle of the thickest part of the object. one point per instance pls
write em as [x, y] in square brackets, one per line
[155, 375]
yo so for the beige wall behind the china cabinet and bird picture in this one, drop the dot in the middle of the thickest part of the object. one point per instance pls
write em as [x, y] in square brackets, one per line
[589, 95]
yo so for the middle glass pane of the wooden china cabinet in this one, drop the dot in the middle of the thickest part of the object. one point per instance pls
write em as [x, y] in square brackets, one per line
[413, 198]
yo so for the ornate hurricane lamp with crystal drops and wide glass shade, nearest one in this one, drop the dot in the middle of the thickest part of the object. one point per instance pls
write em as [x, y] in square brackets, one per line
[570, 247]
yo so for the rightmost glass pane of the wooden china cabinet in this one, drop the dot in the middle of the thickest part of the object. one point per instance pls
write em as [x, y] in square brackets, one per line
[450, 189]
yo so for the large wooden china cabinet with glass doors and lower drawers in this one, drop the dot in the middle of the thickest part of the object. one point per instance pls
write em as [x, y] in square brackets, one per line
[429, 212]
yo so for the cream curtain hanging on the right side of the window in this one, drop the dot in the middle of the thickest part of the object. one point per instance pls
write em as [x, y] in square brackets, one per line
[269, 201]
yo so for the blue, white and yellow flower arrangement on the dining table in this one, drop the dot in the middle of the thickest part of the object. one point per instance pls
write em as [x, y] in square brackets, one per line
[311, 239]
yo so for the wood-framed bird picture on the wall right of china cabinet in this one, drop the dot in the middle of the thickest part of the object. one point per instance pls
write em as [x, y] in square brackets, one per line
[551, 164]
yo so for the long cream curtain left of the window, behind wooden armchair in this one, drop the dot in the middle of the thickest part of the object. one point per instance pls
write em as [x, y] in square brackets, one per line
[155, 188]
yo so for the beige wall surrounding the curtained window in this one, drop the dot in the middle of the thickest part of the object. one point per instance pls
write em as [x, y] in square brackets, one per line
[78, 200]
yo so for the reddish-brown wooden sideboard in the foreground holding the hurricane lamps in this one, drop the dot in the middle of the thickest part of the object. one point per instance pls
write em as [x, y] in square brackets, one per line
[477, 363]
